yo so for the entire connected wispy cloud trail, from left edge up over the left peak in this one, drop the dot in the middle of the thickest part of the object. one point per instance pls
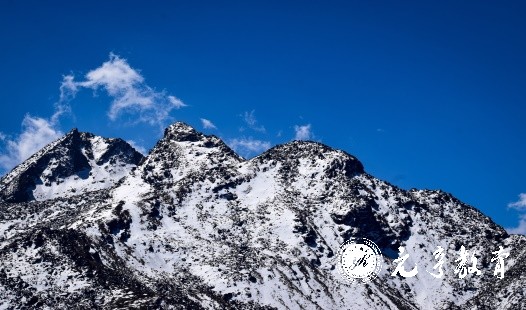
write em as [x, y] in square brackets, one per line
[130, 95]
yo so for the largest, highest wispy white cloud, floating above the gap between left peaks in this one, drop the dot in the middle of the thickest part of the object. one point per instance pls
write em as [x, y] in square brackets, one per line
[128, 89]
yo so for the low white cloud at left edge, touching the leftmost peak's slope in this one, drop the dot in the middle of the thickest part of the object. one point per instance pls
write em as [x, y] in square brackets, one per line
[36, 133]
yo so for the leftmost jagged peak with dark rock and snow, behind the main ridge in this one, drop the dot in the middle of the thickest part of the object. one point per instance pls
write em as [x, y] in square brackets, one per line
[75, 163]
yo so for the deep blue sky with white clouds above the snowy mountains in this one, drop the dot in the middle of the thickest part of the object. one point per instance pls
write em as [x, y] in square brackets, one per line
[427, 94]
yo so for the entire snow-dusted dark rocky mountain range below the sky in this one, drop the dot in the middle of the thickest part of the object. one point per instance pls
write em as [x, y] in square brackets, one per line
[194, 226]
